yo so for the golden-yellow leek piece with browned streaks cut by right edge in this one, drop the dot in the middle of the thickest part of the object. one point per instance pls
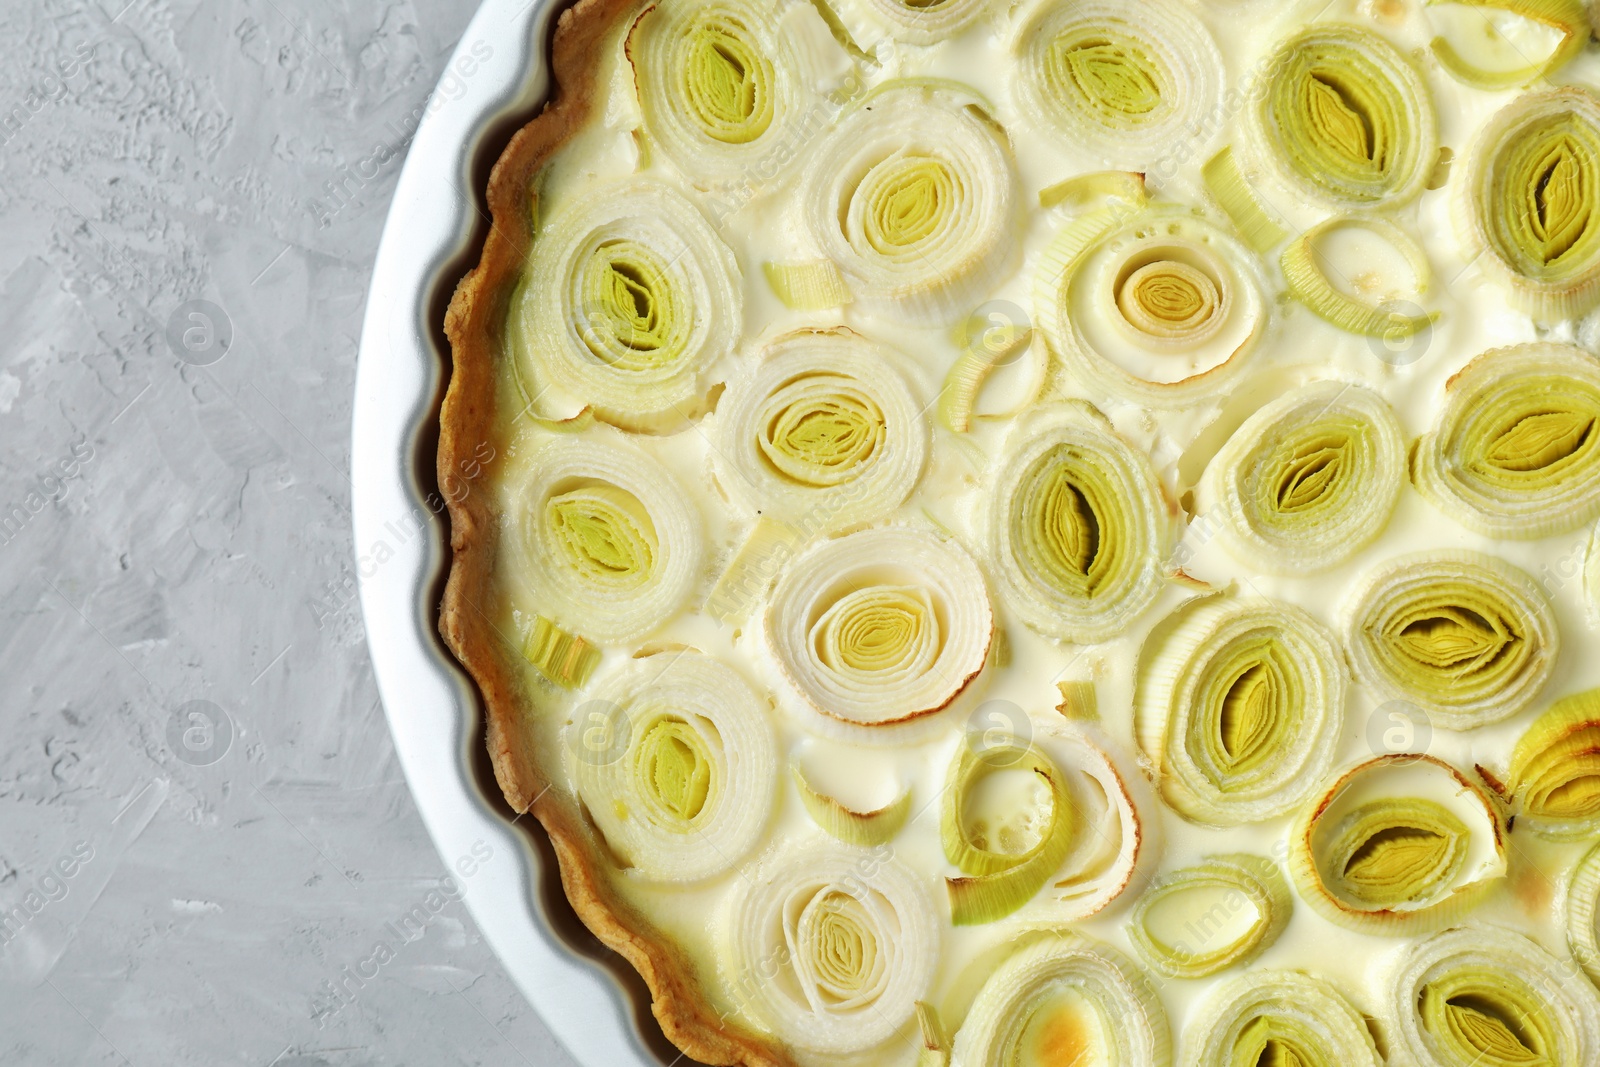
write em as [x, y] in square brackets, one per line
[1556, 770]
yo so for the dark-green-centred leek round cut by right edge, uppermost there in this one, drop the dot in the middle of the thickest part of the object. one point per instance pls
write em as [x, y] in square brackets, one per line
[1529, 201]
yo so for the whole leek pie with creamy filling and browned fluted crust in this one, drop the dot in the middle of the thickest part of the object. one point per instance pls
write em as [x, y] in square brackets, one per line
[1052, 532]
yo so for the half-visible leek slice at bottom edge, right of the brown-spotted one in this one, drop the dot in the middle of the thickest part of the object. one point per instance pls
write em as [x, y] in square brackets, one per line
[1279, 1020]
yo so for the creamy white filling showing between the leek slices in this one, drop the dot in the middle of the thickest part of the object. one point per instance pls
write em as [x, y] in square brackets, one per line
[761, 223]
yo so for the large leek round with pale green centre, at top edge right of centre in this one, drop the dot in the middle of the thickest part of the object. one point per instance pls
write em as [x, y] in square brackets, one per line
[1121, 81]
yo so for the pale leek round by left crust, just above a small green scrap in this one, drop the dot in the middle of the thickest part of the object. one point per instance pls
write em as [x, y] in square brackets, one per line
[610, 538]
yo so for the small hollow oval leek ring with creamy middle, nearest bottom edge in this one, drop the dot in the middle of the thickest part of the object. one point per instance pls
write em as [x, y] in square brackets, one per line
[1207, 900]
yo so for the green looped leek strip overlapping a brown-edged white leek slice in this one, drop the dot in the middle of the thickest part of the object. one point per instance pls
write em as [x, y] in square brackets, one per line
[1006, 857]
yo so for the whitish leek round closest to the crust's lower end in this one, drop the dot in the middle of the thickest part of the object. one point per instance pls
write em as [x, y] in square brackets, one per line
[833, 946]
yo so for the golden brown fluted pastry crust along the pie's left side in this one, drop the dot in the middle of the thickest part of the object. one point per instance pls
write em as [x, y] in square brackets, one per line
[468, 420]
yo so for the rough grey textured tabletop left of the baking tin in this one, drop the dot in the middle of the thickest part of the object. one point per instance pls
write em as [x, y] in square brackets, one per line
[202, 821]
